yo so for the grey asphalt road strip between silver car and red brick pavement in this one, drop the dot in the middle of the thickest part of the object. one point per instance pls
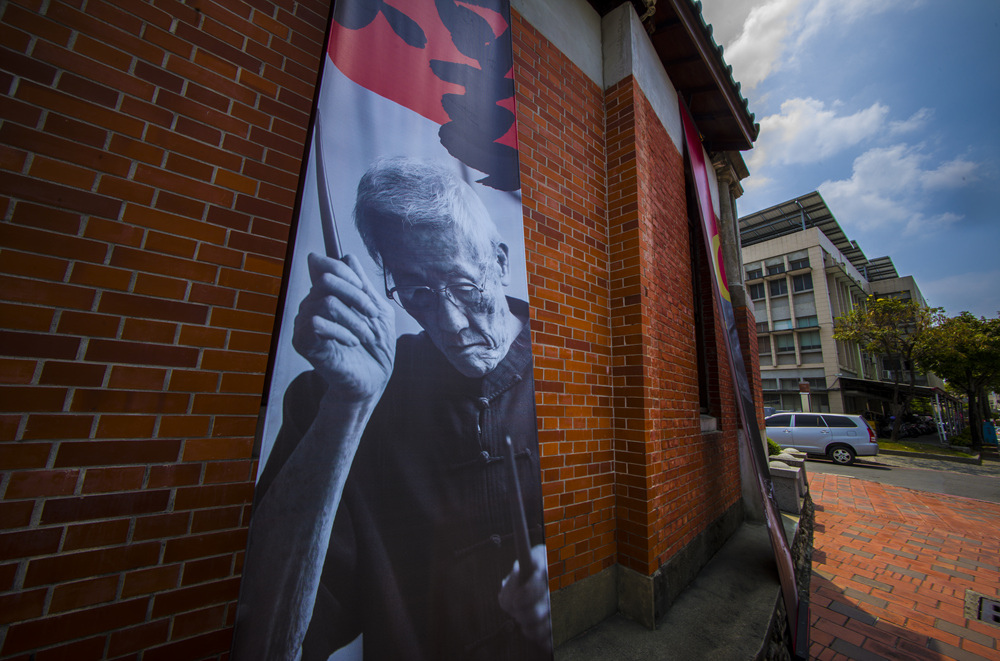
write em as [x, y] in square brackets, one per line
[933, 475]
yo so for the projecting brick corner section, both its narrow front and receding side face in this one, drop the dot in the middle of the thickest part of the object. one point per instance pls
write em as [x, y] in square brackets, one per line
[673, 481]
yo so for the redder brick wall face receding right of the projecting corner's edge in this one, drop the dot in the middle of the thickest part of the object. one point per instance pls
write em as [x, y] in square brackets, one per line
[693, 478]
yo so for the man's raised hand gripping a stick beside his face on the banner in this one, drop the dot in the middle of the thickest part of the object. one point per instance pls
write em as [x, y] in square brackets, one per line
[346, 328]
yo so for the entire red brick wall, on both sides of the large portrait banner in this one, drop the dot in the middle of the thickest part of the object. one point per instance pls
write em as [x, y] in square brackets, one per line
[150, 153]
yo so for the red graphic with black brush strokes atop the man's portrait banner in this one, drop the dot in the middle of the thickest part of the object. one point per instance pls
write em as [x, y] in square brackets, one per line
[447, 60]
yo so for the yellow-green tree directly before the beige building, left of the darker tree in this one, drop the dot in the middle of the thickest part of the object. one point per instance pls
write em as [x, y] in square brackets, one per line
[895, 329]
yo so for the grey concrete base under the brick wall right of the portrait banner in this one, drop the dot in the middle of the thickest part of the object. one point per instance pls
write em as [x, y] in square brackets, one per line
[643, 599]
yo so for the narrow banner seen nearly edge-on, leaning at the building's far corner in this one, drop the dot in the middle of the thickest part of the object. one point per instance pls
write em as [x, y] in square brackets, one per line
[798, 618]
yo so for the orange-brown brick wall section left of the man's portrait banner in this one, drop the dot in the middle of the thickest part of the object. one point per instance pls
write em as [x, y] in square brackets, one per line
[150, 156]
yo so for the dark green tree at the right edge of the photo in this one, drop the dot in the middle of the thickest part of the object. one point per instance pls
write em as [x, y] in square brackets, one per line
[965, 350]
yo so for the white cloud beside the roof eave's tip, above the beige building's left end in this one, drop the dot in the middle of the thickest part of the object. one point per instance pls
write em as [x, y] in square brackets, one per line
[806, 131]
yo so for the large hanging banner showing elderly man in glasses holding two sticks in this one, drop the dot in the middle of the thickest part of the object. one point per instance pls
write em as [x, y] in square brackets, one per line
[398, 509]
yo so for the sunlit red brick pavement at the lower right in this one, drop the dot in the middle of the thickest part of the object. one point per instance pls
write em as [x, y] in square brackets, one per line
[890, 570]
